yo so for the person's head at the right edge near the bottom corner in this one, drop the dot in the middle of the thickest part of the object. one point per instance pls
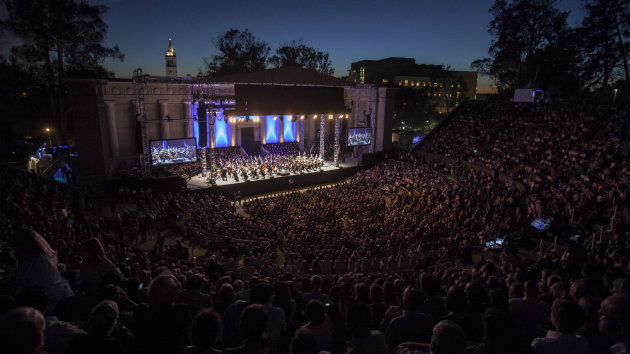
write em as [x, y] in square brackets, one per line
[614, 319]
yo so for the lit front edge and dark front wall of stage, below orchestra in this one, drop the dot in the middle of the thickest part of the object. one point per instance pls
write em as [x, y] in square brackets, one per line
[328, 174]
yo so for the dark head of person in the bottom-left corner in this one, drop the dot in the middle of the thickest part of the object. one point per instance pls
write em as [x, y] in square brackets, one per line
[22, 331]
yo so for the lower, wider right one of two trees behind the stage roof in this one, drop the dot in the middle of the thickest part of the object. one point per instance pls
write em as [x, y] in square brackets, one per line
[297, 54]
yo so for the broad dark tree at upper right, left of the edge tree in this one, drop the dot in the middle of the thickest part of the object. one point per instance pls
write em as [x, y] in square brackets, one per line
[530, 37]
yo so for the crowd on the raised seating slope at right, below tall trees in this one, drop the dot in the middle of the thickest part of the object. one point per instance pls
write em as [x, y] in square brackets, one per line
[573, 158]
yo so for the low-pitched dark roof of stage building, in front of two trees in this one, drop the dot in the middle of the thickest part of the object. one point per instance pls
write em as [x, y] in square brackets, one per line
[284, 76]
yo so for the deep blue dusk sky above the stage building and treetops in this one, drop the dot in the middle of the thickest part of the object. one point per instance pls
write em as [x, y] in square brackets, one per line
[449, 32]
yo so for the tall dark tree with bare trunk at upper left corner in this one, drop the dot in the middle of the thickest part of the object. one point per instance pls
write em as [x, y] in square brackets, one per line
[54, 34]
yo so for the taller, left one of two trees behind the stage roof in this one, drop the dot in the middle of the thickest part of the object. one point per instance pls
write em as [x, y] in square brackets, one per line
[239, 52]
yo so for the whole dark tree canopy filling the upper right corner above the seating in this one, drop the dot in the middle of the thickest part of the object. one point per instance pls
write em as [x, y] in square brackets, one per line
[532, 44]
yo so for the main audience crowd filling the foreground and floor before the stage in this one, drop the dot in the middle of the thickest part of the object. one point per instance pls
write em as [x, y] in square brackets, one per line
[66, 288]
